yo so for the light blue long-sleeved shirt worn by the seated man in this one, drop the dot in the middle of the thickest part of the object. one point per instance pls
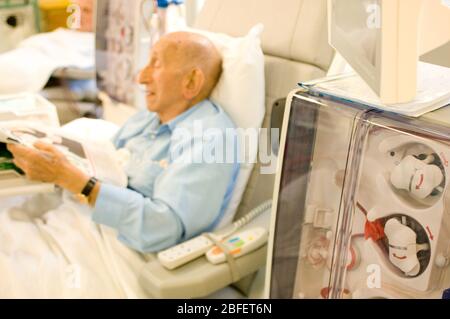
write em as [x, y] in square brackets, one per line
[170, 197]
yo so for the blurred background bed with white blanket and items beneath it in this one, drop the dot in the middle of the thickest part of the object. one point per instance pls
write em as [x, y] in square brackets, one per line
[62, 65]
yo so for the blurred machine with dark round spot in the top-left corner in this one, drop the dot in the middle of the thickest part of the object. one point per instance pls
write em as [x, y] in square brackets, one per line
[18, 20]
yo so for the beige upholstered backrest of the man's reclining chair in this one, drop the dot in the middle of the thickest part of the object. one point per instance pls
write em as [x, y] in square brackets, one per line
[296, 47]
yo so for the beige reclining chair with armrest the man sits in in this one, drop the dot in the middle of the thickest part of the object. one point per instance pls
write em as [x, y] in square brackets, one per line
[296, 49]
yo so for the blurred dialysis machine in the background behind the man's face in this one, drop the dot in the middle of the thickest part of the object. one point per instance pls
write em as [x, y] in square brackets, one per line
[124, 36]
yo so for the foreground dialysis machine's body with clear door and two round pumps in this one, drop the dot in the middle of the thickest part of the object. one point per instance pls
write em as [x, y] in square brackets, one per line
[364, 212]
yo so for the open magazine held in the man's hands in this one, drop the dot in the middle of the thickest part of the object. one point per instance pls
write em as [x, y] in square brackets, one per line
[97, 158]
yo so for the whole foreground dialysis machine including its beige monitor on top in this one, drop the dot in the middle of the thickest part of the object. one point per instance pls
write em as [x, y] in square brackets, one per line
[362, 199]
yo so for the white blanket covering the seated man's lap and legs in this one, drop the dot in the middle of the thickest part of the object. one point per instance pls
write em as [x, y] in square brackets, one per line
[50, 248]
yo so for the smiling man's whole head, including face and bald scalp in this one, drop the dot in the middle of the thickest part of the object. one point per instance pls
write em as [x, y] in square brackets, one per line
[183, 70]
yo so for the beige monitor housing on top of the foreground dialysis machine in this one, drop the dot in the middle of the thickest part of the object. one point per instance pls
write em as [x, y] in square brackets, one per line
[367, 34]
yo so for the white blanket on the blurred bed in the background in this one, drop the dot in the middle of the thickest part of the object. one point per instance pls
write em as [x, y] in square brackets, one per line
[28, 67]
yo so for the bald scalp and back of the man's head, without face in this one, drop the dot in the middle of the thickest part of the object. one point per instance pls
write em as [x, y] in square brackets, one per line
[191, 50]
